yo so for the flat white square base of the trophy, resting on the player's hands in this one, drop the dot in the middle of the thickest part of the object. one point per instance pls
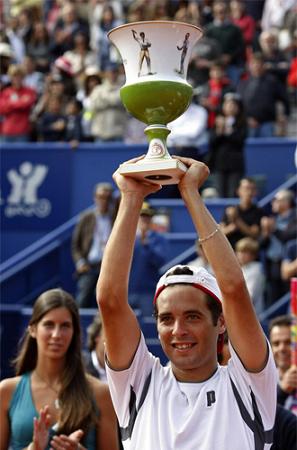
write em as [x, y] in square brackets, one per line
[168, 171]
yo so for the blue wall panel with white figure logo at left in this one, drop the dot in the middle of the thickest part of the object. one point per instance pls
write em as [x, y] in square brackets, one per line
[35, 189]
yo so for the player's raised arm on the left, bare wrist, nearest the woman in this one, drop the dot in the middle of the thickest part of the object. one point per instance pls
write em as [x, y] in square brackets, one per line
[121, 328]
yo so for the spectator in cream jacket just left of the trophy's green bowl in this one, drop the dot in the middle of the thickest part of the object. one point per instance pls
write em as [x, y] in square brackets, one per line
[109, 115]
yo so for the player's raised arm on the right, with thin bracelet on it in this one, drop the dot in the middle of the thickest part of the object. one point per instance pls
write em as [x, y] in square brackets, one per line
[244, 330]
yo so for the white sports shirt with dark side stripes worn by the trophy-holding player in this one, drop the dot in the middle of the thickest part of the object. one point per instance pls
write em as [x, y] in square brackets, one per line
[232, 410]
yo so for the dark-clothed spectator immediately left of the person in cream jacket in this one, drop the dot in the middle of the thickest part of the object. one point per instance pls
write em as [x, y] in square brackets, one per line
[73, 127]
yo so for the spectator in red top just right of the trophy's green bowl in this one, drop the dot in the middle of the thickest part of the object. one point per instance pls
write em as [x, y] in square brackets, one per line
[212, 93]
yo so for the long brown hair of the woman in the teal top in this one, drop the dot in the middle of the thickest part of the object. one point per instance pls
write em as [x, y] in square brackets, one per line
[77, 405]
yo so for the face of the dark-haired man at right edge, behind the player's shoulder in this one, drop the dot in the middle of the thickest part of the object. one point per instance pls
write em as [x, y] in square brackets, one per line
[280, 340]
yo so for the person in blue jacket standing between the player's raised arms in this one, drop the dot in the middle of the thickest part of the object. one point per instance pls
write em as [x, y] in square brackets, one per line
[151, 248]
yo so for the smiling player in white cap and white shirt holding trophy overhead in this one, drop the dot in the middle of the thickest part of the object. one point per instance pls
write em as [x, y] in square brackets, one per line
[193, 403]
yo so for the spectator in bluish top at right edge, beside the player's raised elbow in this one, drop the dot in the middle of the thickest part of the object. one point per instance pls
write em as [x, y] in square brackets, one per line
[276, 230]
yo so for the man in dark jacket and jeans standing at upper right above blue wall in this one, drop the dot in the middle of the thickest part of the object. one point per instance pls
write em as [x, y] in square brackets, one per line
[260, 94]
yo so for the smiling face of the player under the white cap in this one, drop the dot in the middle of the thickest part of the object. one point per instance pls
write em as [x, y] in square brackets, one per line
[187, 333]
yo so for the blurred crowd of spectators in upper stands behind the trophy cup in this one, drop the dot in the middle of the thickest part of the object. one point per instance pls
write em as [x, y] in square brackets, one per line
[60, 75]
